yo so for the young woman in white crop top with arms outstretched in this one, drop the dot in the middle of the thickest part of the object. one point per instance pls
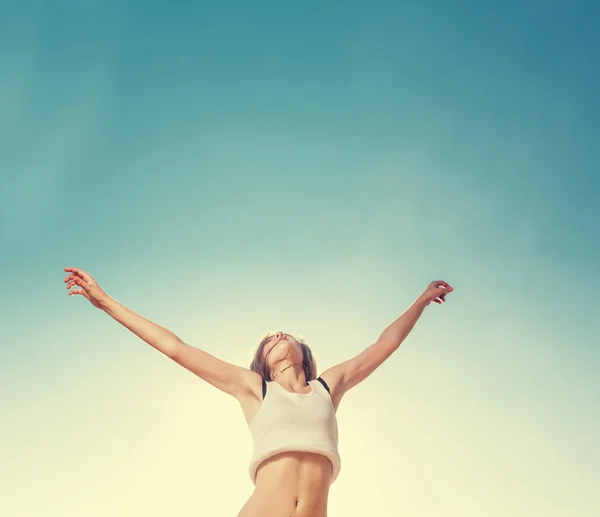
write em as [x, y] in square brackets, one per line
[289, 410]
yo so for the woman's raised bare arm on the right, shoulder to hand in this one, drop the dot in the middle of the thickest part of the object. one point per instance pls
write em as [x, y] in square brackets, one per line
[346, 375]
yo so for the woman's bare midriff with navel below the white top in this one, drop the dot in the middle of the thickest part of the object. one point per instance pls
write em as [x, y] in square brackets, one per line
[291, 484]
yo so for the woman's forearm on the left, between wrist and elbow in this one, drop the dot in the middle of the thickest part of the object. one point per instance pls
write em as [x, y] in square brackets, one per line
[156, 336]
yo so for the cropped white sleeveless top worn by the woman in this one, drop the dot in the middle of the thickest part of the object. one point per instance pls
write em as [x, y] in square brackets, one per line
[295, 422]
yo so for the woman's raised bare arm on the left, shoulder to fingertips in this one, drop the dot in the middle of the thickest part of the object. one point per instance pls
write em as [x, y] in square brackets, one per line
[227, 377]
